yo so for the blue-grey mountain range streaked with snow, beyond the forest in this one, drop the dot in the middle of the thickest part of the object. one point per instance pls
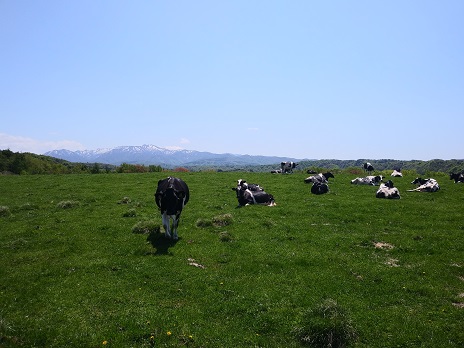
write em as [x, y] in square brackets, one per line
[154, 155]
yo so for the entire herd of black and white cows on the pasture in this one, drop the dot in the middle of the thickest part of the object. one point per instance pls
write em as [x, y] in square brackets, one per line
[172, 194]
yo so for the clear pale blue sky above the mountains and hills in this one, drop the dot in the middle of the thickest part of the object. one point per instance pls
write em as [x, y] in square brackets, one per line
[301, 79]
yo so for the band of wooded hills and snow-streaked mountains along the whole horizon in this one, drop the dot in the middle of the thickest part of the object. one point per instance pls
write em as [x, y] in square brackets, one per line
[66, 162]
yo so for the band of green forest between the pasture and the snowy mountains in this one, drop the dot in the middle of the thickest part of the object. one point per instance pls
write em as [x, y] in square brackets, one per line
[29, 163]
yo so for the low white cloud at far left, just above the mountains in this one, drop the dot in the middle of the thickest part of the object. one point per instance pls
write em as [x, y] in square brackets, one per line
[23, 144]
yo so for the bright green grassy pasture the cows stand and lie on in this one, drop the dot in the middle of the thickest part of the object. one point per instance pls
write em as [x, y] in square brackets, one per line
[73, 273]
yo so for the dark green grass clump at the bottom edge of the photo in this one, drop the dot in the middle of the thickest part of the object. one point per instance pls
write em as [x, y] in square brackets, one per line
[327, 325]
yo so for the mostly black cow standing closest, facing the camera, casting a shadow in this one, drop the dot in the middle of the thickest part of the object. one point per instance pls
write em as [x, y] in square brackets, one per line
[171, 197]
